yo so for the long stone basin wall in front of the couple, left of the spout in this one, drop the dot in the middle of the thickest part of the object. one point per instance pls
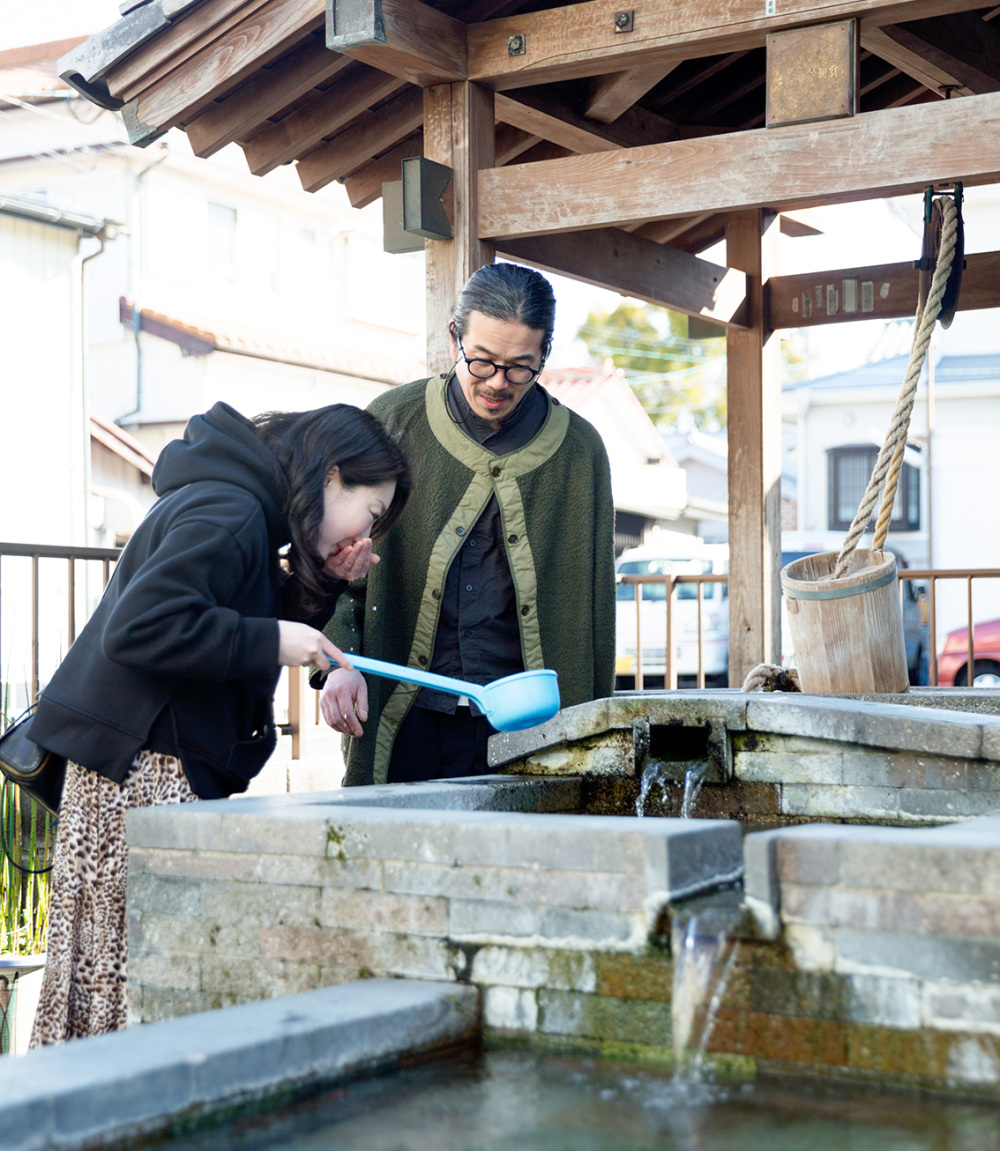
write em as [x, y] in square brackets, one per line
[553, 917]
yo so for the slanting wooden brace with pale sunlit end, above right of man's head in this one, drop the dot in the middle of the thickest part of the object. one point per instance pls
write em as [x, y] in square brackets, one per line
[614, 260]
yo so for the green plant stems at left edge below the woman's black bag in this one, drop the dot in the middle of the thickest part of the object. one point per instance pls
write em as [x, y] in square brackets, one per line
[27, 847]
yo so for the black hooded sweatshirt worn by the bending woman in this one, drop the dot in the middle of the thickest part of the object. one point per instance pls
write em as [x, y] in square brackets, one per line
[187, 631]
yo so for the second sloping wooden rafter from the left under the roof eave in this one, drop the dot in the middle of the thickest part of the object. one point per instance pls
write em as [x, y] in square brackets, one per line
[264, 97]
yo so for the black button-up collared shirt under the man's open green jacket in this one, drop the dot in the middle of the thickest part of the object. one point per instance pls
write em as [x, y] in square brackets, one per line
[478, 635]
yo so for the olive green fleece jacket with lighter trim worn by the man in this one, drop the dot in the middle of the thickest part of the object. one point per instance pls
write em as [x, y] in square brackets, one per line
[559, 519]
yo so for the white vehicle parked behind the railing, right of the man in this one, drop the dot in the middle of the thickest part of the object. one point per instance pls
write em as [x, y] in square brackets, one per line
[674, 554]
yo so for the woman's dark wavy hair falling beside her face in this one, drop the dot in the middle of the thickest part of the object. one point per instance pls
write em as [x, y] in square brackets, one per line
[308, 447]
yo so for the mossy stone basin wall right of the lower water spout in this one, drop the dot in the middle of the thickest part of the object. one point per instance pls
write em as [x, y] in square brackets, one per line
[887, 955]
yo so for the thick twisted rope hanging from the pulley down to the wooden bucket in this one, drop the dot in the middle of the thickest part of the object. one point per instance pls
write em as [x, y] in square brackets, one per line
[897, 436]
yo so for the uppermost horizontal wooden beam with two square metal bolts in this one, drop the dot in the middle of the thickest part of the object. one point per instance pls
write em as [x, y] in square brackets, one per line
[581, 40]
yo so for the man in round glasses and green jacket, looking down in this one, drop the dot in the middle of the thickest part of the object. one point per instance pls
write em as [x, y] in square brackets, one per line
[505, 558]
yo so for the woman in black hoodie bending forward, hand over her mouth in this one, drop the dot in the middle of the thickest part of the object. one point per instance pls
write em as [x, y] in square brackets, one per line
[167, 695]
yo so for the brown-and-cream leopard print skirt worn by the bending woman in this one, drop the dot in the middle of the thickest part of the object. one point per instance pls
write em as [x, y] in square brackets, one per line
[83, 990]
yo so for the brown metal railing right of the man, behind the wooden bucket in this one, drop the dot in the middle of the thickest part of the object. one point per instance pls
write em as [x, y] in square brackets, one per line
[929, 577]
